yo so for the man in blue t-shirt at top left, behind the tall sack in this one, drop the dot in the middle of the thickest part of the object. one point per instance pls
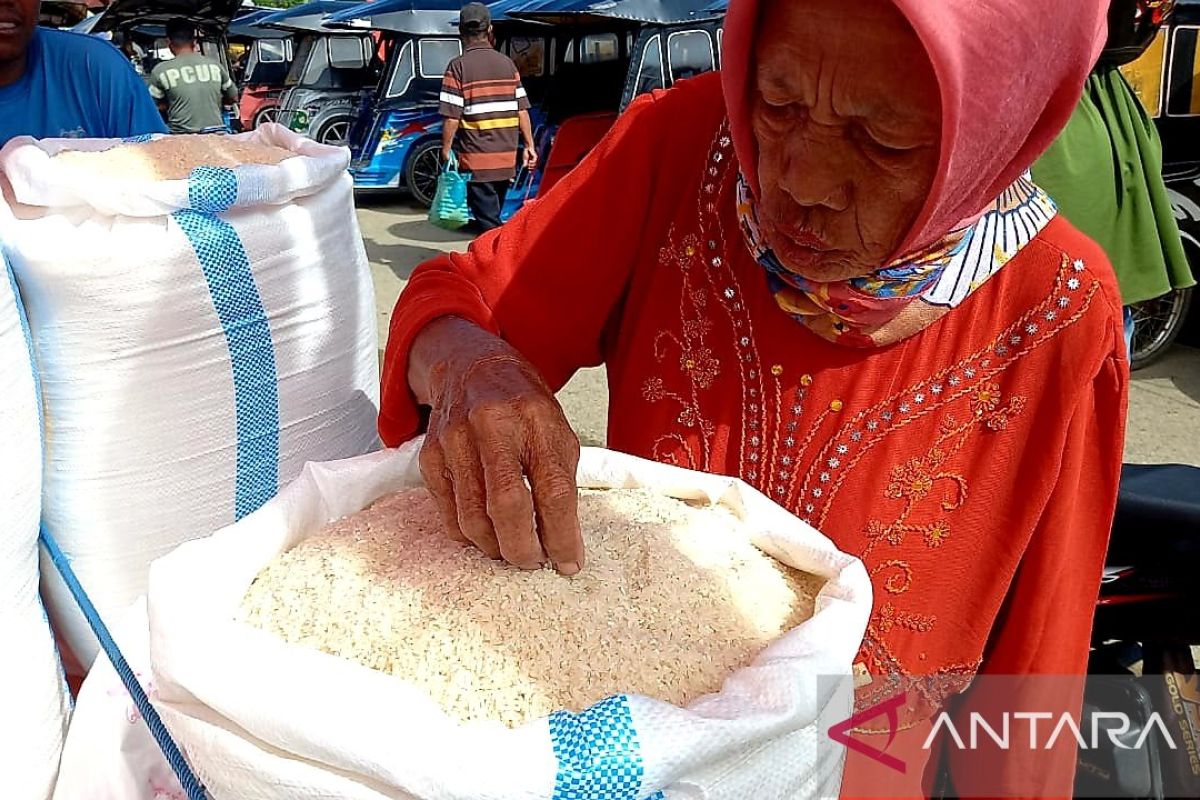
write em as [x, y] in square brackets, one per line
[62, 85]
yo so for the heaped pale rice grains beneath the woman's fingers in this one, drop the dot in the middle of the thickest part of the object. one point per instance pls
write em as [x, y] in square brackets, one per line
[674, 599]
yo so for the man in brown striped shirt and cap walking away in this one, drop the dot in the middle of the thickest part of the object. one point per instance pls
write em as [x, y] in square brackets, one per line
[485, 109]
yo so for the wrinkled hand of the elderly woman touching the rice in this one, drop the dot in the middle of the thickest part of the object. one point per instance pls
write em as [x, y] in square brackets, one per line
[494, 425]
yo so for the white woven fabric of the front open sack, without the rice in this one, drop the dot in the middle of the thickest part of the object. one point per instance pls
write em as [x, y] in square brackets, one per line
[261, 719]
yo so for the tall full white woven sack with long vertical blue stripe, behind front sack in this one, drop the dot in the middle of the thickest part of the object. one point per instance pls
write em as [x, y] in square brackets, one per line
[199, 341]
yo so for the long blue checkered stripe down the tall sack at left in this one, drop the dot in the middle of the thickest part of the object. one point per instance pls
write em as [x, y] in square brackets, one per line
[239, 308]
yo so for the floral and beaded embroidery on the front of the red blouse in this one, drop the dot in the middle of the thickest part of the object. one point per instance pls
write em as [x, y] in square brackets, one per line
[801, 448]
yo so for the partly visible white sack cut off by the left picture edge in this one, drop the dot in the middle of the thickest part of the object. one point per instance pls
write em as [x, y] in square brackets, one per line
[34, 705]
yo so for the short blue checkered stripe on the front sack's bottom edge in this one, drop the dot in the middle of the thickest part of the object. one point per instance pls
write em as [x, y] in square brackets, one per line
[599, 755]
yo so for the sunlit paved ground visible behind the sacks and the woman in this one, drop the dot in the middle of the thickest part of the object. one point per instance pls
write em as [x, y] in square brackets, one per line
[1165, 414]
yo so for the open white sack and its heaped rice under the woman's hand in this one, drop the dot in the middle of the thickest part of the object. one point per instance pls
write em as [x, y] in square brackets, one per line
[335, 645]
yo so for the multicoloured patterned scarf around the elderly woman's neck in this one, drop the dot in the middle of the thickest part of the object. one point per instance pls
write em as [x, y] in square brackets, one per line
[855, 312]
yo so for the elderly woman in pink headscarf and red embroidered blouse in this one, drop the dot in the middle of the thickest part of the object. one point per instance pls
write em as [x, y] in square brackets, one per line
[824, 272]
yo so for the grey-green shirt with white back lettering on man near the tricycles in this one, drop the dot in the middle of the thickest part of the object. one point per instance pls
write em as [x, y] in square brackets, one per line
[194, 87]
